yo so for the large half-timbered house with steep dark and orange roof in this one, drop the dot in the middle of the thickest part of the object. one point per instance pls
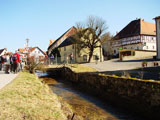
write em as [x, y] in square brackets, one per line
[137, 35]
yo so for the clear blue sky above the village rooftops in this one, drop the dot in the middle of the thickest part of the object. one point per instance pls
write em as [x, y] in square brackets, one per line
[42, 20]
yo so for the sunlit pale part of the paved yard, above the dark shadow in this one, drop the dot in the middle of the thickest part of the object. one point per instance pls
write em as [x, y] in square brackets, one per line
[116, 65]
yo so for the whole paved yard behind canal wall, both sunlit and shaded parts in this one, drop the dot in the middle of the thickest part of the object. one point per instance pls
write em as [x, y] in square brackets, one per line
[128, 68]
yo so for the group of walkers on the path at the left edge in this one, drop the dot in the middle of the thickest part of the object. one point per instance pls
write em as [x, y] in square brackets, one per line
[10, 63]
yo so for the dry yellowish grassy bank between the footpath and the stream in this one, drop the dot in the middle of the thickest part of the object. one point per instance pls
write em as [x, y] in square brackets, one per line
[27, 98]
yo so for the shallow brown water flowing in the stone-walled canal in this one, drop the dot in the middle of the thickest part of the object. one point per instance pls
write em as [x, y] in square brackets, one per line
[90, 108]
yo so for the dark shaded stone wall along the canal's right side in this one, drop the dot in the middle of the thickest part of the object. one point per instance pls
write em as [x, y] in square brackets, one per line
[140, 96]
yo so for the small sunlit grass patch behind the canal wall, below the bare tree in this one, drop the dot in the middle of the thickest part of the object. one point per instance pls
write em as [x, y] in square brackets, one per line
[78, 68]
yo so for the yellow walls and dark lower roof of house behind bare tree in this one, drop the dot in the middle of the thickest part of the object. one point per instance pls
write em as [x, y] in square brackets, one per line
[66, 50]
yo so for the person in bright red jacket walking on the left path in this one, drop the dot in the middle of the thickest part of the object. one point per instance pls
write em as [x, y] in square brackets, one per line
[16, 60]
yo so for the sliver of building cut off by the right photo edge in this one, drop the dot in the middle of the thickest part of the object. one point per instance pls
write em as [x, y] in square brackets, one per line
[157, 19]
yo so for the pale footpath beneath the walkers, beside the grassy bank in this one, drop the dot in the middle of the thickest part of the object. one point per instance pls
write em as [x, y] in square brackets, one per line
[6, 78]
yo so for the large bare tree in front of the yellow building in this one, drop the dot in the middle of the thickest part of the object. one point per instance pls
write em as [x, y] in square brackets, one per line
[89, 34]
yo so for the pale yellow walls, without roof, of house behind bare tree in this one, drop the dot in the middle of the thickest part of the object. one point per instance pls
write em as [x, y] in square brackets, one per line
[81, 57]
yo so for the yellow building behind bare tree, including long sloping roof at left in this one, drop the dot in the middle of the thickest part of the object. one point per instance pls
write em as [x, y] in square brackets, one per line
[67, 48]
